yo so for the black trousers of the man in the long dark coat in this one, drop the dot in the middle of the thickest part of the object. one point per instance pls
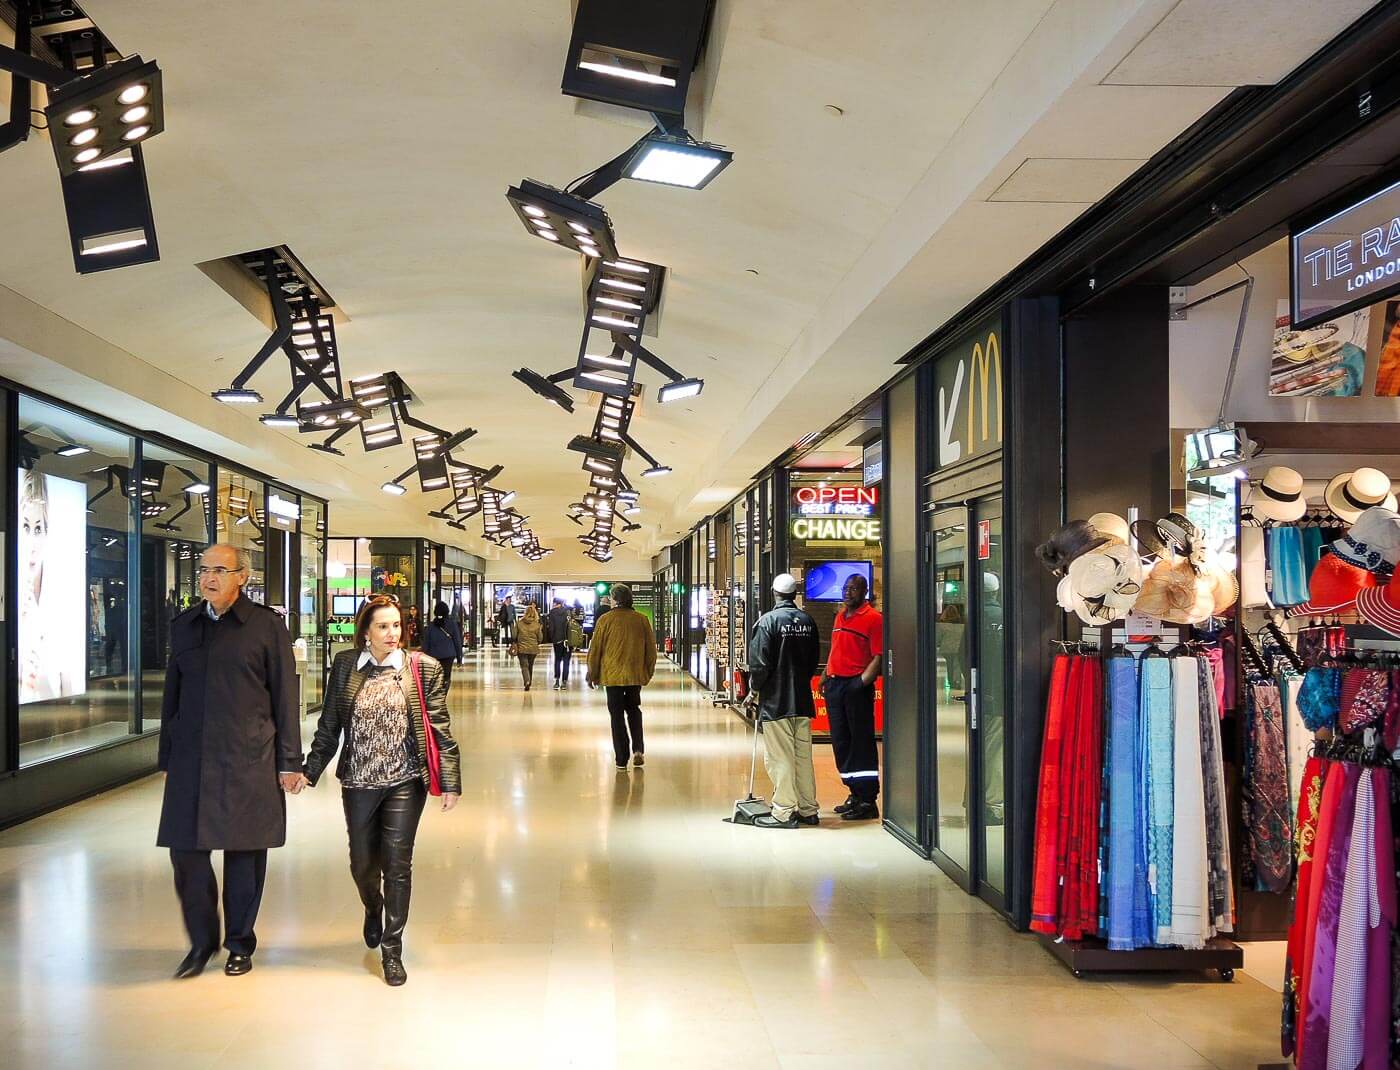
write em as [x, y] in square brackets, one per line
[244, 876]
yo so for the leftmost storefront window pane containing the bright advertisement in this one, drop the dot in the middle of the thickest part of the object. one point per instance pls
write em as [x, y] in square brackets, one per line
[75, 536]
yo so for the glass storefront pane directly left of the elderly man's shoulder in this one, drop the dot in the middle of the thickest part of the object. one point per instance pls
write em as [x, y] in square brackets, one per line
[174, 531]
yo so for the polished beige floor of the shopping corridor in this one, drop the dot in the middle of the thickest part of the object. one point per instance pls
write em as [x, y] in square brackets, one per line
[570, 917]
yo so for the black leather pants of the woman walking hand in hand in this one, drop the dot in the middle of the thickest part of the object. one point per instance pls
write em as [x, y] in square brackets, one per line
[383, 824]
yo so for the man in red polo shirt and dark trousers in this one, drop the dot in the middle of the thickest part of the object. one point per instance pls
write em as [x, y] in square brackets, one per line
[849, 686]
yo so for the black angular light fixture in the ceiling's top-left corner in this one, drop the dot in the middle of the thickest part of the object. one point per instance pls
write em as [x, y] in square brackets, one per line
[101, 110]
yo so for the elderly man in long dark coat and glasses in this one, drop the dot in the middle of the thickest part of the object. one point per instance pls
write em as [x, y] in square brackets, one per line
[230, 749]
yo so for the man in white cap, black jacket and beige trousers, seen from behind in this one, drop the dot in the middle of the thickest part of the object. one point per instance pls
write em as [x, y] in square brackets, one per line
[783, 659]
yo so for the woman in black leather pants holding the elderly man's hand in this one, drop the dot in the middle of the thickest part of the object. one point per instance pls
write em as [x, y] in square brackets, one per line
[391, 709]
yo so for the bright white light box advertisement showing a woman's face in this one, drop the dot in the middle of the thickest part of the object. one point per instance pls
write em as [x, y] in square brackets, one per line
[52, 565]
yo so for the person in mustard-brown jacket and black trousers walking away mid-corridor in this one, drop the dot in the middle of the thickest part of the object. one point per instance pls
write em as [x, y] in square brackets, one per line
[622, 659]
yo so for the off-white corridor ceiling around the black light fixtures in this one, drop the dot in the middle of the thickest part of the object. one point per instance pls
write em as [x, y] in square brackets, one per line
[380, 149]
